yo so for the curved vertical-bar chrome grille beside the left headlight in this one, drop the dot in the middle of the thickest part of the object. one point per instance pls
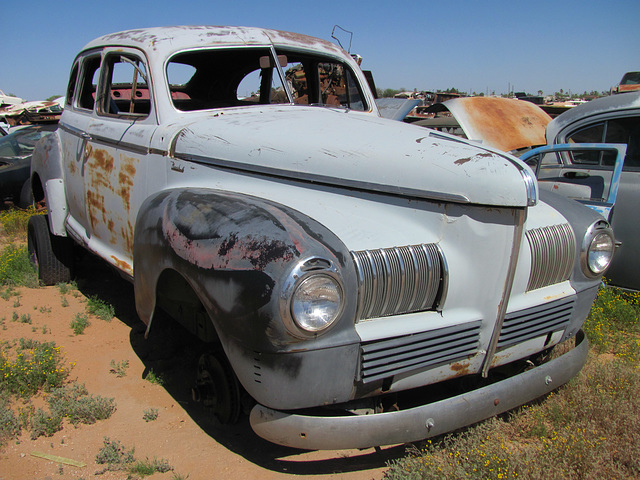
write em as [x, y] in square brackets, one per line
[398, 280]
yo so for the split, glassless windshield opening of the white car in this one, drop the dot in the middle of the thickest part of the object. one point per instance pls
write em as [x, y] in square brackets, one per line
[231, 77]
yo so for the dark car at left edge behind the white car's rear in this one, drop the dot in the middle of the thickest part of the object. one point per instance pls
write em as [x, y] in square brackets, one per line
[15, 162]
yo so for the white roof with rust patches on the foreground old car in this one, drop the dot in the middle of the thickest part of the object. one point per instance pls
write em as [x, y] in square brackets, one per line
[167, 40]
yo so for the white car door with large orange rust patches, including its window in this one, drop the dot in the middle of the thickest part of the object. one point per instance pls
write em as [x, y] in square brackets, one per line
[115, 155]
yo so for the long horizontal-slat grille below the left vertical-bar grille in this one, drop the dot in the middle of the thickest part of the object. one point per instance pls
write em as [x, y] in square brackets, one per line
[385, 358]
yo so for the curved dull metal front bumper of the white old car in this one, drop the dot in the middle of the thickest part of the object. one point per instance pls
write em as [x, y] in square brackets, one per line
[363, 431]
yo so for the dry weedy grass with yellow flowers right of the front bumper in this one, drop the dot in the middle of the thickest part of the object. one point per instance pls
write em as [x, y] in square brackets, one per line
[588, 429]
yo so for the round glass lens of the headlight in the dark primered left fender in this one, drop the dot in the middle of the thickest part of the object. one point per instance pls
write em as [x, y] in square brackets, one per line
[316, 303]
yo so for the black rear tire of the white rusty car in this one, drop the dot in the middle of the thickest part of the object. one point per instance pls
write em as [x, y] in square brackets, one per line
[52, 256]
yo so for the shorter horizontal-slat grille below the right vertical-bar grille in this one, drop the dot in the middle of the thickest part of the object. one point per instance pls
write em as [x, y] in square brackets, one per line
[536, 321]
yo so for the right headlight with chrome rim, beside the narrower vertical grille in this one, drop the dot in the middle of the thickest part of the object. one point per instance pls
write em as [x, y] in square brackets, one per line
[598, 235]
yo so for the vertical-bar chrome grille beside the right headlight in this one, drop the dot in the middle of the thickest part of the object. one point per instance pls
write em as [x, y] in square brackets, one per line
[553, 252]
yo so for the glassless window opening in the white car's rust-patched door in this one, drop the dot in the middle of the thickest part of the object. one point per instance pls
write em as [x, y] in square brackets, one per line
[125, 91]
